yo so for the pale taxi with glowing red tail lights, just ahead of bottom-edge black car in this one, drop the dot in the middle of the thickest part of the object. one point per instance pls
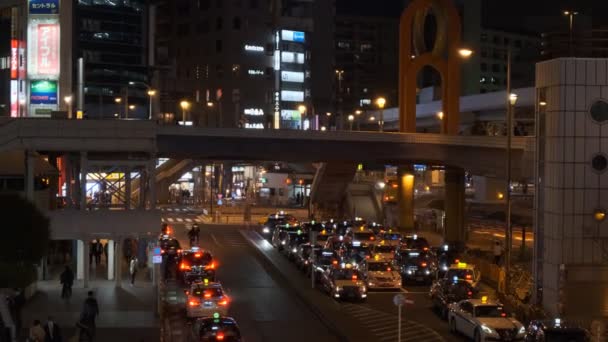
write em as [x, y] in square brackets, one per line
[206, 298]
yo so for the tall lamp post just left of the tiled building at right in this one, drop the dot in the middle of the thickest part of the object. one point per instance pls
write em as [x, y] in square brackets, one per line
[511, 101]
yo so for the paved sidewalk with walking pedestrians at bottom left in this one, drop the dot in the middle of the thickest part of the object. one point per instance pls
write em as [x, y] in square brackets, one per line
[126, 314]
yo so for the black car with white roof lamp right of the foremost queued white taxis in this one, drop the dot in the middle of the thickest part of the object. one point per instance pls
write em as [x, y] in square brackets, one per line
[417, 265]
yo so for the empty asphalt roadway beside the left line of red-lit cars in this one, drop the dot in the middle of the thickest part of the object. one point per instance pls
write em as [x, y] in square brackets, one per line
[264, 307]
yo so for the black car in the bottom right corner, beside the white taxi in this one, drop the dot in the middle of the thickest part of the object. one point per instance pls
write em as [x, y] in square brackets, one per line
[556, 330]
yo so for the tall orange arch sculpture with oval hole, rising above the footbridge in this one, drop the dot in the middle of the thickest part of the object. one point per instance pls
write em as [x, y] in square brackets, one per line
[444, 57]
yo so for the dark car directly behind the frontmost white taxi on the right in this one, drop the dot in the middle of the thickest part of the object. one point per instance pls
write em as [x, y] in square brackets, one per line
[445, 292]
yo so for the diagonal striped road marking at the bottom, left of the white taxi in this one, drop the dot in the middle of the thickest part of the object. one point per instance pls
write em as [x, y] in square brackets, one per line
[384, 325]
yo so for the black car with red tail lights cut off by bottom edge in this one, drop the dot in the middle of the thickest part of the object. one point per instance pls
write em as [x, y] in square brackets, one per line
[215, 329]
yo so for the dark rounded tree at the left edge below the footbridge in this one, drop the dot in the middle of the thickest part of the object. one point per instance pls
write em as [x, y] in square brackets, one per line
[25, 237]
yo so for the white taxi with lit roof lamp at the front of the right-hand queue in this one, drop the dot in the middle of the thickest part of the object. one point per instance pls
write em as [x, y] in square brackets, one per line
[484, 320]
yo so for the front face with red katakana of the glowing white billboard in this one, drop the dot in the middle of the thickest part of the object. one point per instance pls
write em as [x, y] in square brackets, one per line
[48, 49]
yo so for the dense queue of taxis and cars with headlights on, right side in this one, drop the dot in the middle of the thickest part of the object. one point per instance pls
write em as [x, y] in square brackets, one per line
[350, 258]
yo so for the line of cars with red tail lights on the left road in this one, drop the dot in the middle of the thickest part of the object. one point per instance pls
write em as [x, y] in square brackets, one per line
[206, 303]
